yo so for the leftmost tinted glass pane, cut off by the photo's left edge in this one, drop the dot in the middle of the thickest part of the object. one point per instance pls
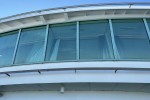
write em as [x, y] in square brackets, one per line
[7, 47]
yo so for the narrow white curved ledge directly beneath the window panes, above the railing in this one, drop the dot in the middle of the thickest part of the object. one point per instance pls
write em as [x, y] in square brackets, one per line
[91, 64]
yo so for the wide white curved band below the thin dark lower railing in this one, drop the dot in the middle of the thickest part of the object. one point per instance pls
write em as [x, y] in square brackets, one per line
[107, 77]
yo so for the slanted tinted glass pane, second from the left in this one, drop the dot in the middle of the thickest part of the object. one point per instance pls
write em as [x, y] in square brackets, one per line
[31, 45]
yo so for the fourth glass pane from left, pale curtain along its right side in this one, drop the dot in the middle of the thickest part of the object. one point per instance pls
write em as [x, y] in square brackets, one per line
[95, 40]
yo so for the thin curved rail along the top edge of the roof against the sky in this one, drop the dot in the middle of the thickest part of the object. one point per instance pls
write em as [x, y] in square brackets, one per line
[129, 4]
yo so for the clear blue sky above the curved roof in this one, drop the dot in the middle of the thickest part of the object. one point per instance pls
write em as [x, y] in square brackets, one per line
[12, 7]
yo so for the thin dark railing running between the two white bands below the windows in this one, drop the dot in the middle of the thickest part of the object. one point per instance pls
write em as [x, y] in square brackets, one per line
[75, 70]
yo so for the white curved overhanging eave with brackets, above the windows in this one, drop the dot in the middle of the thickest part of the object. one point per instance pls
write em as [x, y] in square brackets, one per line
[74, 13]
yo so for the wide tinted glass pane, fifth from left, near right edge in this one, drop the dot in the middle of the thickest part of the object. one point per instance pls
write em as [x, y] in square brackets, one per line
[131, 39]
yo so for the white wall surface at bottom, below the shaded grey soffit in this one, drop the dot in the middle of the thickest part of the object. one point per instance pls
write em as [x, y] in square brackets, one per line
[75, 95]
